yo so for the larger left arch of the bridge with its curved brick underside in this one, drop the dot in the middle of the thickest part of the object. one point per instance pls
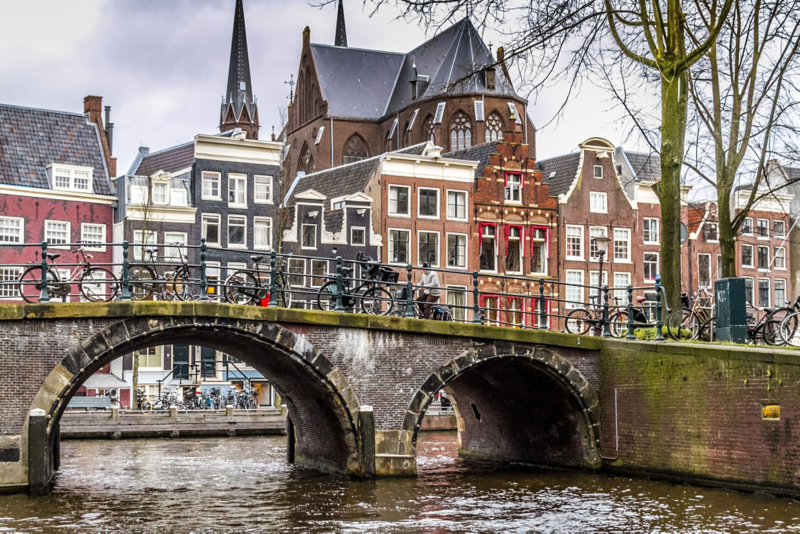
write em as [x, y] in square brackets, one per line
[323, 407]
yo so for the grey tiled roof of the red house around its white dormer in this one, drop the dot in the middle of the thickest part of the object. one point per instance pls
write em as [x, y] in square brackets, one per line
[31, 139]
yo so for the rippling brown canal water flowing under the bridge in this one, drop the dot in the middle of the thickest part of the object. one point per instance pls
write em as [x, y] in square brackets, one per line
[244, 484]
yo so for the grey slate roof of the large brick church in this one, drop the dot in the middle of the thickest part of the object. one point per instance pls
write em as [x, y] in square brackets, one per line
[370, 84]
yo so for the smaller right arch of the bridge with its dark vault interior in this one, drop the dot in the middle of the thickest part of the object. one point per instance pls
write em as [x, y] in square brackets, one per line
[524, 404]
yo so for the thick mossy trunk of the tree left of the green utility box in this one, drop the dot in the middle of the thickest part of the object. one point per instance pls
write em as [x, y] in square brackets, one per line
[673, 128]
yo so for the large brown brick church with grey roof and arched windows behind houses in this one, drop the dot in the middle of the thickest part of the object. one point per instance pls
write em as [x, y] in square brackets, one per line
[353, 103]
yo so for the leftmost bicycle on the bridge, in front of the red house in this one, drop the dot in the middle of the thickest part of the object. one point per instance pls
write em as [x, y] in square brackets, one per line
[95, 283]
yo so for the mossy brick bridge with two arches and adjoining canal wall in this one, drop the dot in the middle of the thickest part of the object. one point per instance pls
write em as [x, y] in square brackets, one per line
[357, 386]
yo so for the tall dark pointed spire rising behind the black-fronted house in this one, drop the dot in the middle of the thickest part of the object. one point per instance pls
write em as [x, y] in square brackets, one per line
[239, 108]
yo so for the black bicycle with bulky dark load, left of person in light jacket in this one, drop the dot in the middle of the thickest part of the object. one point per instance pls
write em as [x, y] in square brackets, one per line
[370, 294]
